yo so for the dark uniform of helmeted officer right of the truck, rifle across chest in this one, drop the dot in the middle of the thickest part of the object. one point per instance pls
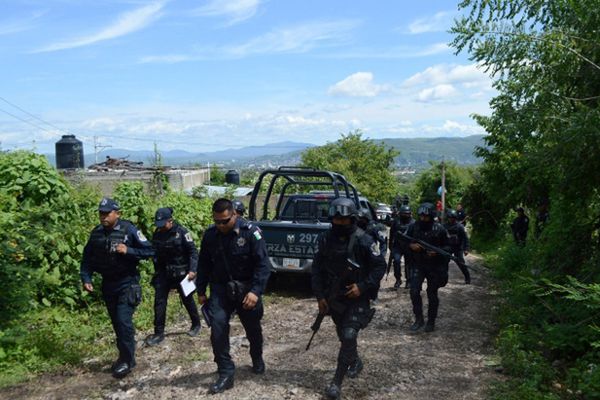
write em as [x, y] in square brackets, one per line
[433, 268]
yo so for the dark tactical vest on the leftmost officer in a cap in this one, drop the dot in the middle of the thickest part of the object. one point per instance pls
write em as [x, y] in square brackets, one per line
[104, 257]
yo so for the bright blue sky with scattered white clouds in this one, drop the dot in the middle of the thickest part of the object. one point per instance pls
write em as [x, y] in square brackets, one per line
[208, 75]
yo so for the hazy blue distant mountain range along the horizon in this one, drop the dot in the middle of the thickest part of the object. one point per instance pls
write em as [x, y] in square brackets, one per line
[414, 153]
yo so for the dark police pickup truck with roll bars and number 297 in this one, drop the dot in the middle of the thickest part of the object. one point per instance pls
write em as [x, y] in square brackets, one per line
[294, 211]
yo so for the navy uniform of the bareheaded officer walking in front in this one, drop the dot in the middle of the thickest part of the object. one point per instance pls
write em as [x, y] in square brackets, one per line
[243, 252]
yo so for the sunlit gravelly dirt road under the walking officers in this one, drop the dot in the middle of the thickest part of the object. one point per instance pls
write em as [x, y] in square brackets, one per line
[446, 364]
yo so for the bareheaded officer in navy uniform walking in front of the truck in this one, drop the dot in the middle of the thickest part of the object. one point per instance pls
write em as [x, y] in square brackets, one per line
[234, 260]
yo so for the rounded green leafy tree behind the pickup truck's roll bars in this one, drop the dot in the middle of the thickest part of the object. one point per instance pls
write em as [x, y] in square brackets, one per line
[365, 164]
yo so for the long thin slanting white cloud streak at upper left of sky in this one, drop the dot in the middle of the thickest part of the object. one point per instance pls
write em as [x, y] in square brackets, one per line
[126, 23]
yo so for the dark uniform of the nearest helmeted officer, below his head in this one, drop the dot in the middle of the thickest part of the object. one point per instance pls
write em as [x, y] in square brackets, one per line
[330, 276]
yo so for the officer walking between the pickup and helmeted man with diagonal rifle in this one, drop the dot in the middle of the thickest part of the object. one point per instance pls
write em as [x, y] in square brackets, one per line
[399, 245]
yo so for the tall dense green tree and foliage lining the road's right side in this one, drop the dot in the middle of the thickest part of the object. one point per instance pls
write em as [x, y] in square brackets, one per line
[544, 145]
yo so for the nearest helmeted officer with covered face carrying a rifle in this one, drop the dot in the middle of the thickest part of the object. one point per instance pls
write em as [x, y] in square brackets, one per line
[346, 273]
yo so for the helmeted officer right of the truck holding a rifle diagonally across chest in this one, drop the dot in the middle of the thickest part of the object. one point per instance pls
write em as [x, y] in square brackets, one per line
[427, 265]
